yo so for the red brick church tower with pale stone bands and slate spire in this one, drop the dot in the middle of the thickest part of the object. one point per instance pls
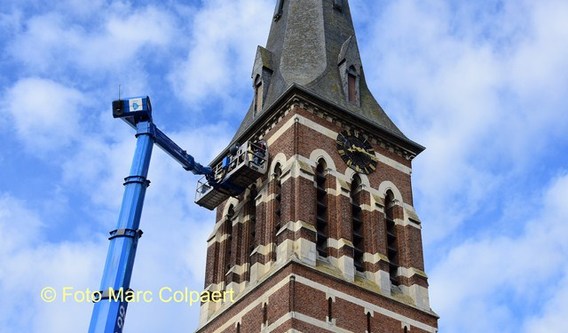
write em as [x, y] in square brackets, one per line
[328, 240]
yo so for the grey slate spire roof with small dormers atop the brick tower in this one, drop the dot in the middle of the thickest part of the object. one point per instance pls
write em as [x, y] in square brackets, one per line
[312, 45]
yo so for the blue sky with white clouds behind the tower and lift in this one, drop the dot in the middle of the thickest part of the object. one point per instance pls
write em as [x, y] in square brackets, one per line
[481, 84]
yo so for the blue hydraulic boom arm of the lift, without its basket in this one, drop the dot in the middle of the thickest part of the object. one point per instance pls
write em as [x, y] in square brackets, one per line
[110, 310]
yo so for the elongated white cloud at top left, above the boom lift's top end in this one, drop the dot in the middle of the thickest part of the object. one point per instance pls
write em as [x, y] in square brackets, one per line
[112, 38]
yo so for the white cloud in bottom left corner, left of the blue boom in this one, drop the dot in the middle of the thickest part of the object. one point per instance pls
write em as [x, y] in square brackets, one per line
[30, 263]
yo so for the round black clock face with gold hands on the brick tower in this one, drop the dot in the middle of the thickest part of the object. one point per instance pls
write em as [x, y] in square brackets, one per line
[356, 151]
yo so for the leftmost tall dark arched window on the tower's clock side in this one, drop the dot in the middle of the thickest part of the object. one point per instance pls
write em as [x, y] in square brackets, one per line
[321, 209]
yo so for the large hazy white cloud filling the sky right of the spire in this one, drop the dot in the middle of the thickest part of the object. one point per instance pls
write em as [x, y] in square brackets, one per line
[478, 88]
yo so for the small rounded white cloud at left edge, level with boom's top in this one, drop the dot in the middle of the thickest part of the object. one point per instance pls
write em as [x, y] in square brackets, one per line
[45, 113]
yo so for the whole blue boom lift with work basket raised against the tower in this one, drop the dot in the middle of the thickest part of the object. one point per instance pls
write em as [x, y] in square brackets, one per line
[243, 165]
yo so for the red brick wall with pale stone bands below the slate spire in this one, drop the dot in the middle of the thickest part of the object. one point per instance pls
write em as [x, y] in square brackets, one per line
[298, 136]
